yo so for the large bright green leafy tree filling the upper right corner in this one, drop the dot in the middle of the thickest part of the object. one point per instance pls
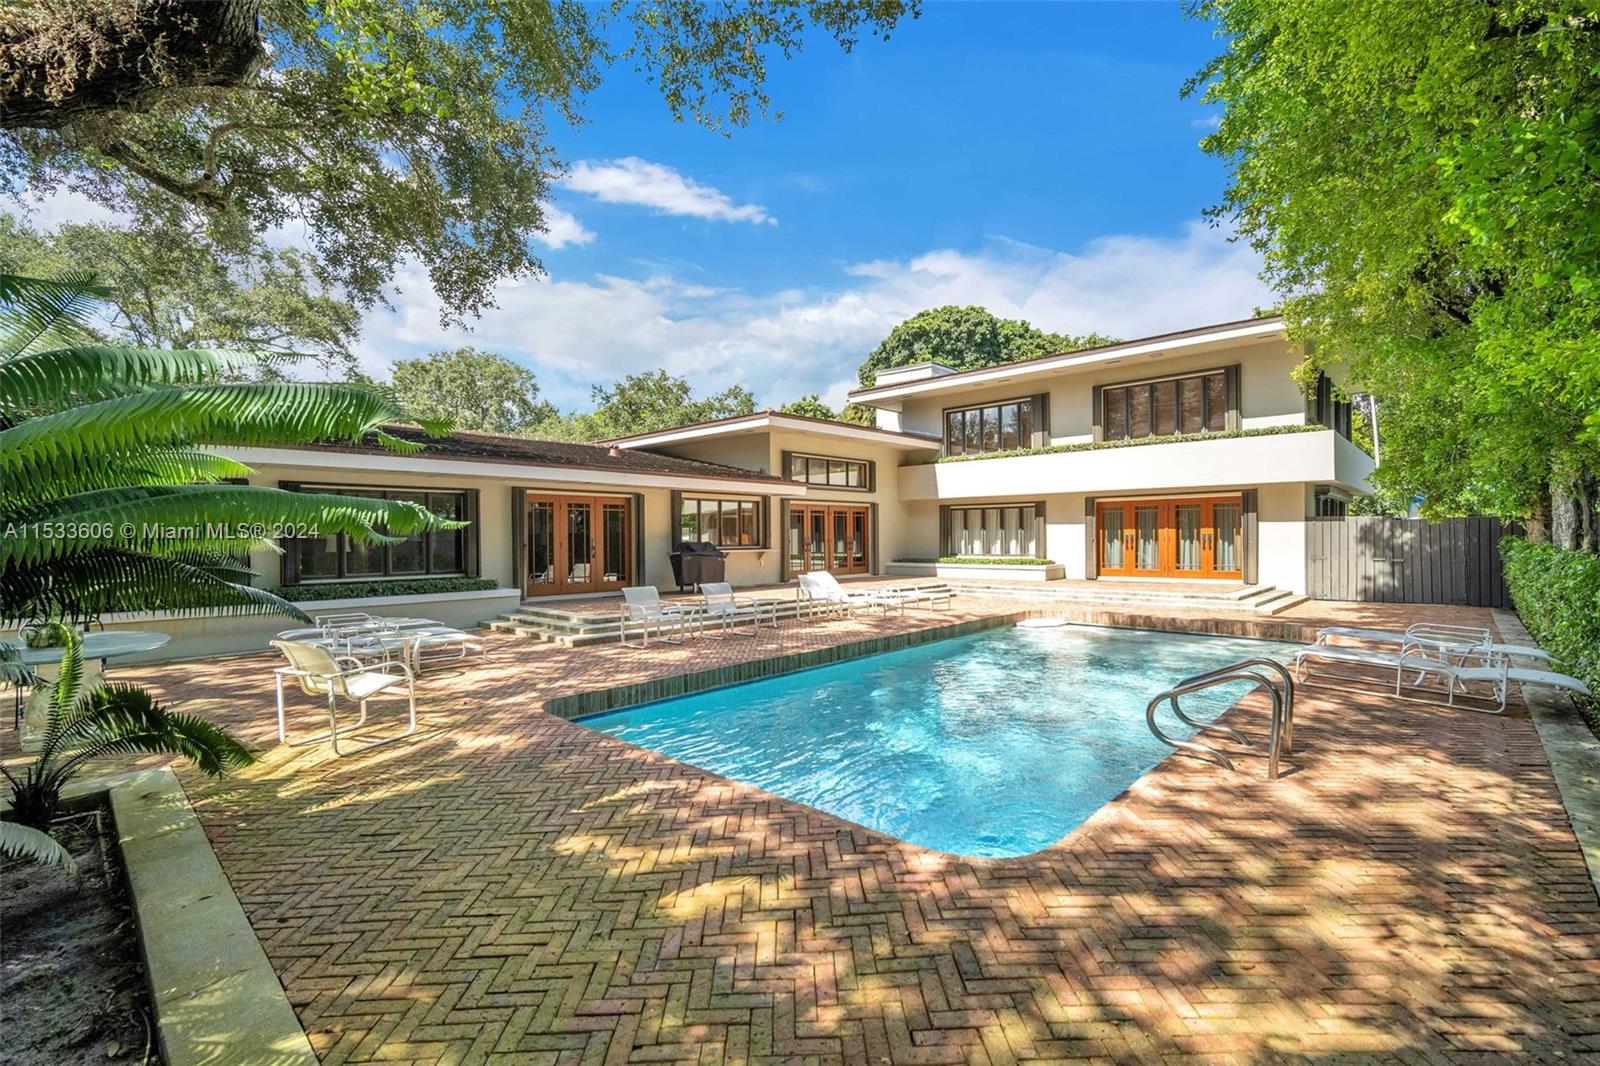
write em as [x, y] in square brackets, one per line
[1425, 185]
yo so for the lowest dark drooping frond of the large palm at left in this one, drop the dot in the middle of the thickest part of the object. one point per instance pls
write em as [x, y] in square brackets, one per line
[108, 580]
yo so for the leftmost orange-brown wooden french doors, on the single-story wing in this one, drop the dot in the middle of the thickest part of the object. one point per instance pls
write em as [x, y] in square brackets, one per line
[578, 543]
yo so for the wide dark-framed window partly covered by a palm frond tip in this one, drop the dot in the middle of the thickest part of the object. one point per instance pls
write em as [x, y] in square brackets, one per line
[436, 553]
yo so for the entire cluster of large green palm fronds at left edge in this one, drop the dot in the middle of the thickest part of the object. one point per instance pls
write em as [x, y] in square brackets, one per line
[110, 499]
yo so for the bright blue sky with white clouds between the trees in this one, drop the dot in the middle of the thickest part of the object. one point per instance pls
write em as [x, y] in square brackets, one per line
[1030, 158]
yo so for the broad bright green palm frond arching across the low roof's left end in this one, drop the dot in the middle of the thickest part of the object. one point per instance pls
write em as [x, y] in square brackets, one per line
[273, 414]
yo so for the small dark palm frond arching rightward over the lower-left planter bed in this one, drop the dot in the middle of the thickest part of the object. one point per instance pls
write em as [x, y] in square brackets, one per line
[124, 719]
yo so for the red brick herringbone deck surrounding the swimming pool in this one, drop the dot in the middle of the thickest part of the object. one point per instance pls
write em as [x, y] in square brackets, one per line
[513, 888]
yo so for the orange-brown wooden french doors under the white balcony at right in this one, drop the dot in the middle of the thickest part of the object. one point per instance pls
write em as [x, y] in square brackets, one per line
[1172, 539]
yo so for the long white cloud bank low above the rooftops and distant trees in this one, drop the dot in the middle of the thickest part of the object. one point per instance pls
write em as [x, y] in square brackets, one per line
[785, 345]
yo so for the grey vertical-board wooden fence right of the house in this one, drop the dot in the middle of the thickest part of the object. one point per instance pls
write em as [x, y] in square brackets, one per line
[1407, 561]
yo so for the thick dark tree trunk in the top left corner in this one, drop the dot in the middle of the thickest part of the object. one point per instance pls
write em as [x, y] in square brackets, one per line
[70, 60]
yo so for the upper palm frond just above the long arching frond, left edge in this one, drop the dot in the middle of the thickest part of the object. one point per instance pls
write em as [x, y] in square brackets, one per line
[82, 374]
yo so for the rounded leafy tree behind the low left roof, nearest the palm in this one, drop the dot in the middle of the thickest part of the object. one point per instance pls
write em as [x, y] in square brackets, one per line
[471, 390]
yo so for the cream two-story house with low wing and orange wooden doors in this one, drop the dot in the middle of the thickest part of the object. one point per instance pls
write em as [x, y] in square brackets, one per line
[1191, 455]
